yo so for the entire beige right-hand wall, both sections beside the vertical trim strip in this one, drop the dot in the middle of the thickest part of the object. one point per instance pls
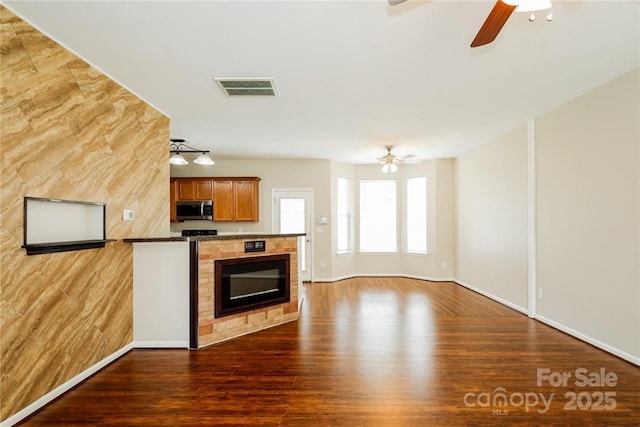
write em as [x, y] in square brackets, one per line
[587, 240]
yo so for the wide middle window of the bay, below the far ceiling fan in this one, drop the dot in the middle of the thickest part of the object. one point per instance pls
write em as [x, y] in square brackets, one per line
[378, 216]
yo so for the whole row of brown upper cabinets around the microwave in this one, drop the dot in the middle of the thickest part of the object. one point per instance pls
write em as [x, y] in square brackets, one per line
[235, 199]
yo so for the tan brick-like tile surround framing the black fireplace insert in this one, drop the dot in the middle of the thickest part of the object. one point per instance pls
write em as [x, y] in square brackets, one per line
[212, 330]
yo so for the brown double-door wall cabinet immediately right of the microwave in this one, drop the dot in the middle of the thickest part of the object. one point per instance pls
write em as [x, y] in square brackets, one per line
[235, 199]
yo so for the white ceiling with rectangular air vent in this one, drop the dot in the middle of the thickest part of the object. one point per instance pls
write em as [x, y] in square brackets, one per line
[352, 76]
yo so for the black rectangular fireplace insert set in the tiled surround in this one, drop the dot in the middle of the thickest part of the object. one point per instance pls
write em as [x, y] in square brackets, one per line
[243, 284]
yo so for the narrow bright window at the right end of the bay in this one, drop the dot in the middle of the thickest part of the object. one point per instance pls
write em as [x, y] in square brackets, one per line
[417, 215]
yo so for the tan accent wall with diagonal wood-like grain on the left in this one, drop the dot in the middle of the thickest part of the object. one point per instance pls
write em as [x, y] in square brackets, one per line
[69, 132]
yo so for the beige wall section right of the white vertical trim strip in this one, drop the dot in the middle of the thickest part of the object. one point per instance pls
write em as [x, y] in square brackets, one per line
[588, 218]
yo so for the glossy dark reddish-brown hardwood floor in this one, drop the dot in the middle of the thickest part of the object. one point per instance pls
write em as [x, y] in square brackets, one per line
[374, 352]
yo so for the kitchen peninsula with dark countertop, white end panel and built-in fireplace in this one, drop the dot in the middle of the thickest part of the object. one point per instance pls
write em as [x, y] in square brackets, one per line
[199, 290]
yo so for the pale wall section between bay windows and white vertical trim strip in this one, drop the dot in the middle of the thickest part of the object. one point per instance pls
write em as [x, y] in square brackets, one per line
[491, 218]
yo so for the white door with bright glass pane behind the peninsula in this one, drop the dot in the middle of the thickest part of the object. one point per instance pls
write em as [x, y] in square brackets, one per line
[292, 214]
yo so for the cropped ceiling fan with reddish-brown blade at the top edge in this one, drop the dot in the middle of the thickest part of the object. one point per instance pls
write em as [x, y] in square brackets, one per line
[499, 15]
